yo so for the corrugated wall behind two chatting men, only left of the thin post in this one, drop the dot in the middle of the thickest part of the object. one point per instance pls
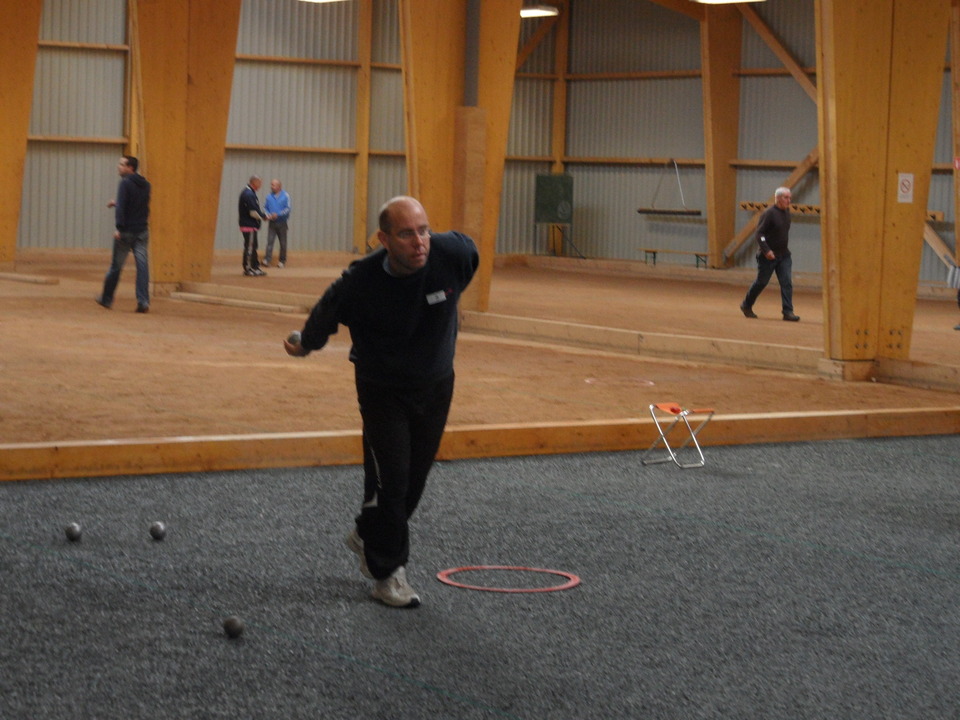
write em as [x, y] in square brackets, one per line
[291, 113]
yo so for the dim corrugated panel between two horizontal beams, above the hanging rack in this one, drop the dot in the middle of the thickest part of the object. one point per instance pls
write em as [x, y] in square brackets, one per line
[639, 118]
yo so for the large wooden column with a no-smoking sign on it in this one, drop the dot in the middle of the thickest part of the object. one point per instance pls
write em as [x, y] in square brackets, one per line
[871, 240]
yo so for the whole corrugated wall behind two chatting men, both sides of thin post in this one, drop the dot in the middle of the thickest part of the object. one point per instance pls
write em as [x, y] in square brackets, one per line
[300, 114]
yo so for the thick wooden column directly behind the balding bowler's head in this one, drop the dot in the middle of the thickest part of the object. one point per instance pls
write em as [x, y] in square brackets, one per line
[455, 154]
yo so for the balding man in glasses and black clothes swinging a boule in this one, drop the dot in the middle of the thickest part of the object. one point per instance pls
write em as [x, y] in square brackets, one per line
[400, 304]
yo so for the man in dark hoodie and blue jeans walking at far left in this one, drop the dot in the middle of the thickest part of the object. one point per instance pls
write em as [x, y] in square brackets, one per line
[132, 211]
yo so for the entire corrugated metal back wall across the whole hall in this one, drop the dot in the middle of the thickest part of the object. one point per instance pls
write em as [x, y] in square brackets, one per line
[301, 113]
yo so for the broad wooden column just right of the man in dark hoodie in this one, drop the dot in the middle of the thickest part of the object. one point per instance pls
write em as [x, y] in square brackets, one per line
[187, 50]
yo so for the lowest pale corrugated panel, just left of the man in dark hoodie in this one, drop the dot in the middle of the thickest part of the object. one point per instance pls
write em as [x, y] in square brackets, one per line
[66, 187]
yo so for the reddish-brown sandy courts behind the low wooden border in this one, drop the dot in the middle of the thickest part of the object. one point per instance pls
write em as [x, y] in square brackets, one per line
[72, 370]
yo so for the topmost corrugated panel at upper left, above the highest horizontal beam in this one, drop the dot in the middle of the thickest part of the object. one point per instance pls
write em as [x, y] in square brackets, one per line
[86, 21]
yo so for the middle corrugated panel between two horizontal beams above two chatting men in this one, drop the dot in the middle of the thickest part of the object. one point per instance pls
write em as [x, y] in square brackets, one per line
[292, 105]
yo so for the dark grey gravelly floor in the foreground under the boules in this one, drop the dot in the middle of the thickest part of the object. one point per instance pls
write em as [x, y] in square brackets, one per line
[812, 580]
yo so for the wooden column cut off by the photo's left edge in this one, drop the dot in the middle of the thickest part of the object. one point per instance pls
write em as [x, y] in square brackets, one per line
[18, 57]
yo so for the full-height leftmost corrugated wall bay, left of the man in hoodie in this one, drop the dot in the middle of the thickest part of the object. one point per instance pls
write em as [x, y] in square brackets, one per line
[76, 126]
